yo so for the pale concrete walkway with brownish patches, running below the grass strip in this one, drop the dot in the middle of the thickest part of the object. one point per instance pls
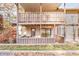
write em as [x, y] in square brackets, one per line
[38, 53]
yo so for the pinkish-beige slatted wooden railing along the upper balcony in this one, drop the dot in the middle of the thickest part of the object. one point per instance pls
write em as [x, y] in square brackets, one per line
[39, 18]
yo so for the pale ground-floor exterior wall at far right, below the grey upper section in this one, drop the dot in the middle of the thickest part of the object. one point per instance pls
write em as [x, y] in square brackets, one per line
[70, 34]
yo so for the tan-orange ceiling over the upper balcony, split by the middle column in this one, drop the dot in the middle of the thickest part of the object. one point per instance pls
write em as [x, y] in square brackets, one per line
[35, 7]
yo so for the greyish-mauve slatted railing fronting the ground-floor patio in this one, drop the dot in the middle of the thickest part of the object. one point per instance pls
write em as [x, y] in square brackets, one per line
[35, 40]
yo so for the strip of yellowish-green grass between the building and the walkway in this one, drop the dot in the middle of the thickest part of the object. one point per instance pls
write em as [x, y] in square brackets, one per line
[40, 47]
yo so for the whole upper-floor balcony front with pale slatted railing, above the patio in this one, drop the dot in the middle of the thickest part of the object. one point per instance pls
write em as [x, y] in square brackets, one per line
[41, 18]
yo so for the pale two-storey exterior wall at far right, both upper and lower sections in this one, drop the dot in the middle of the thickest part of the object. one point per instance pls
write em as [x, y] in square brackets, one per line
[71, 19]
